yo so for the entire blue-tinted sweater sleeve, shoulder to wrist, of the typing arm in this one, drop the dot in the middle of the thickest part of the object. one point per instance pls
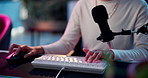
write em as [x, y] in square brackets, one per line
[140, 50]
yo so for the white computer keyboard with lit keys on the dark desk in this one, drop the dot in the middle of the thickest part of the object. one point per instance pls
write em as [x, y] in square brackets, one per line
[70, 63]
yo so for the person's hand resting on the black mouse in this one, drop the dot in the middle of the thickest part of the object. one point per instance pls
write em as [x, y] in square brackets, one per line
[31, 50]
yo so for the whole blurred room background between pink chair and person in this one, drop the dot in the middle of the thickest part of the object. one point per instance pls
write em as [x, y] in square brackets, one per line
[37, 22]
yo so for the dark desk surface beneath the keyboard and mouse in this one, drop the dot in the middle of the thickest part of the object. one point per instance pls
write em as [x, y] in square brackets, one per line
[27, 70]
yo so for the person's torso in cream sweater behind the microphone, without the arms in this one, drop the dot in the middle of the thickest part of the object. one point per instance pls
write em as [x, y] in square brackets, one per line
[123, 18]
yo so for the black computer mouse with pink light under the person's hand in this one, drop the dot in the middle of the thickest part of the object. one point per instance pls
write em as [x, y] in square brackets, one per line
[19, 58]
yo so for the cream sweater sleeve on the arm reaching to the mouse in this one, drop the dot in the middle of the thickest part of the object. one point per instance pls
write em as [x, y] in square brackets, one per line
[70, 36]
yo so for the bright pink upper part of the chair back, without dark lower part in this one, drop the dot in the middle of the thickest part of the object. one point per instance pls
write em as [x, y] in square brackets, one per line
[7, 21]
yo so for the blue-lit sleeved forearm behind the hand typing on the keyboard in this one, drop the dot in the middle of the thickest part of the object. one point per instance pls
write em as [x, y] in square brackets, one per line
[130, 55]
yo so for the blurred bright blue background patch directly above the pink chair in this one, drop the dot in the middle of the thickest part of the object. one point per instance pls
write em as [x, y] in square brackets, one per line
[12, 9]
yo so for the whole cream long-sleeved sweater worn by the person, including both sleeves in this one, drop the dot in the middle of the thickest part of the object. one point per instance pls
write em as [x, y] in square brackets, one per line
[130, 15]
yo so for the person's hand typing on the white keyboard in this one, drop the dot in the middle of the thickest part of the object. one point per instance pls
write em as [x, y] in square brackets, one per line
[95, 55]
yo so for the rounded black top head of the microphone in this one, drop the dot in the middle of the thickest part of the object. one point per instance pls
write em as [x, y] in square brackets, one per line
[99, 13]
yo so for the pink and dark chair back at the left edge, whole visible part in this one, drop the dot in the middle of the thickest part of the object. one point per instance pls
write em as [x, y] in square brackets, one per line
[5, 31]
